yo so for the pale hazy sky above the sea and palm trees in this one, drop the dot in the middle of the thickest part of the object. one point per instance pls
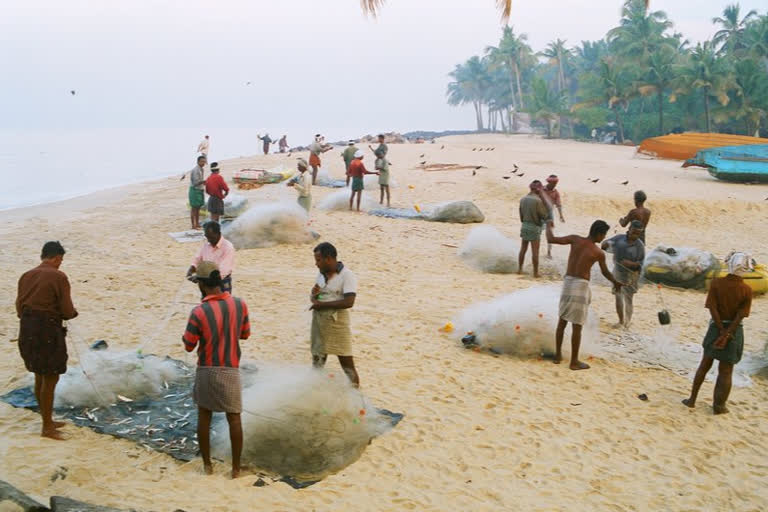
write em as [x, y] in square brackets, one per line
[313, 65]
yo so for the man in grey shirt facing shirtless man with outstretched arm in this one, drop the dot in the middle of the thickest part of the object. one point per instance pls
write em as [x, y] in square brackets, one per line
[628, 256]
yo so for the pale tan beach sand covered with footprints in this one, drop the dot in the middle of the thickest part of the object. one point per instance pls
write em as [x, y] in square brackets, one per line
[480, 432]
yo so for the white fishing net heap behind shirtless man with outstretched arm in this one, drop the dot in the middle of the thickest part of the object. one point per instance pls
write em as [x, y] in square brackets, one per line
[521, 323]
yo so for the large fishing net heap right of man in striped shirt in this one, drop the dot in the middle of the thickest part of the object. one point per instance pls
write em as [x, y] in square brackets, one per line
[302, 422]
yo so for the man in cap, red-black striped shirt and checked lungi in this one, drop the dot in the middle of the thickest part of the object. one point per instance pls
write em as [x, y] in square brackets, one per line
[215, 327]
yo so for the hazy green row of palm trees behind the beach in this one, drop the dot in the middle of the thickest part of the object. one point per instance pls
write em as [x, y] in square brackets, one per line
[641, 80]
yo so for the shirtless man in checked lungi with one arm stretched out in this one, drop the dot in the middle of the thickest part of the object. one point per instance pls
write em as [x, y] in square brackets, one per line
[576, 295]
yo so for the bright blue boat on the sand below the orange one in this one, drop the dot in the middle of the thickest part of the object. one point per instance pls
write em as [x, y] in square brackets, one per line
[742, 164]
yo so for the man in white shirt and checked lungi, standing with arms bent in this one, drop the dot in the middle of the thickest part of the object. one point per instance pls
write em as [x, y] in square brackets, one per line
[332, 297]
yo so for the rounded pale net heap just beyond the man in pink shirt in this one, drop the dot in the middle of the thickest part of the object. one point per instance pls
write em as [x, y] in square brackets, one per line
[268, 224]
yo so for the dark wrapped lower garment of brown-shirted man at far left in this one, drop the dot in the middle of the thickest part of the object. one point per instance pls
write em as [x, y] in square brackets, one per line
[42, 343]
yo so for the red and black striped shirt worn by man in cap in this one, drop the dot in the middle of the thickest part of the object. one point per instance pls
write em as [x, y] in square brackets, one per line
[218, 324]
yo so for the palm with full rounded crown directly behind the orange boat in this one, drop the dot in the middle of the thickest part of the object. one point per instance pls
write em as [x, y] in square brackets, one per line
[708, 74]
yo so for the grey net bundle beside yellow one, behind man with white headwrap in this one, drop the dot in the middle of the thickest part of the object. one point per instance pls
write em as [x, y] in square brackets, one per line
[682, 267]
